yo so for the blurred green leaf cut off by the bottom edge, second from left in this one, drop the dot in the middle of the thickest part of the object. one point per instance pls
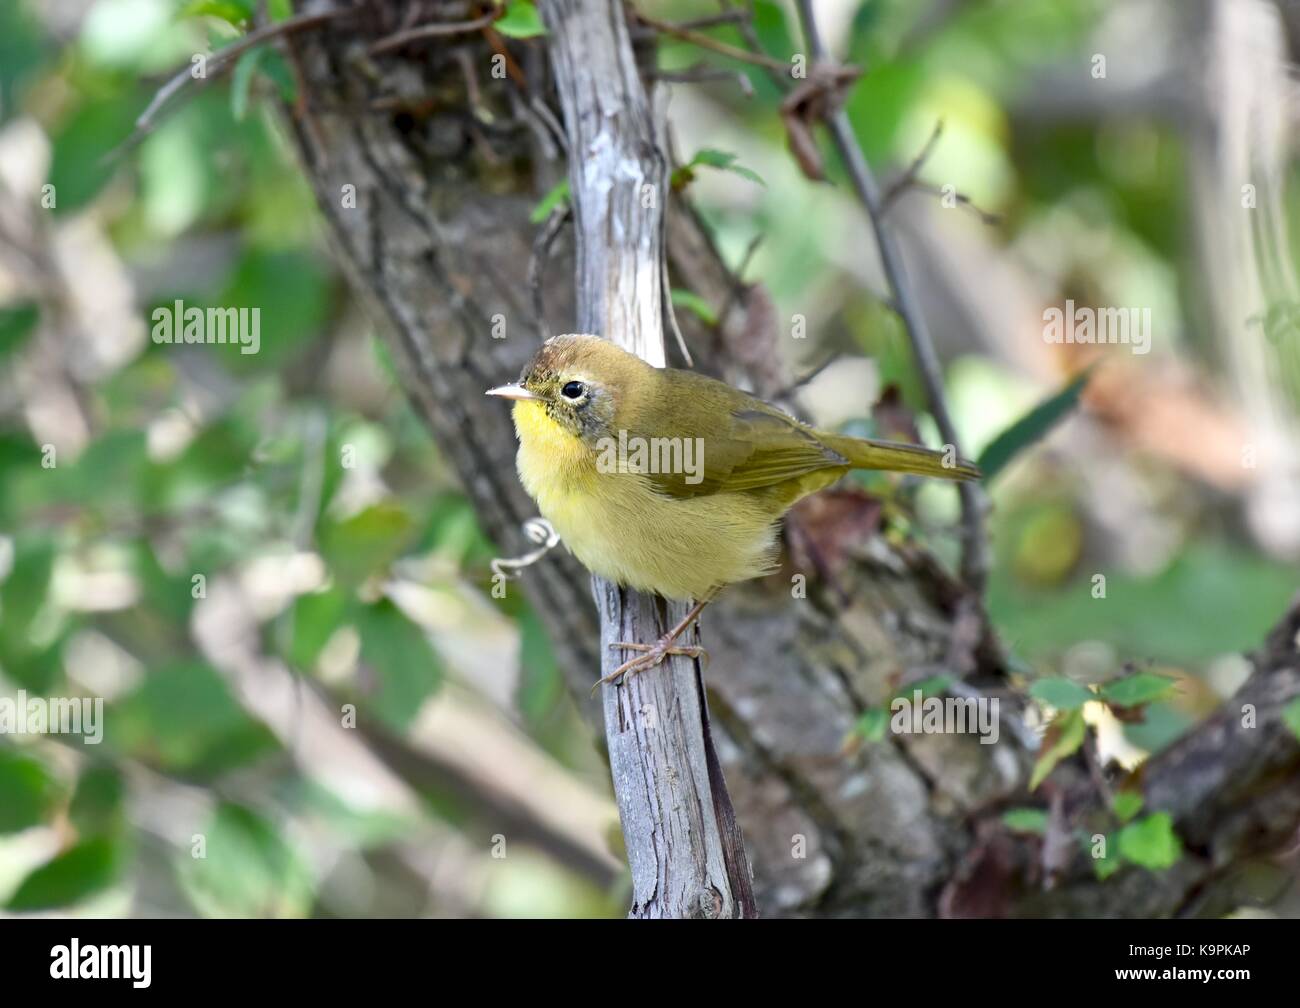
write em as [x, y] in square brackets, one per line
[246, 869]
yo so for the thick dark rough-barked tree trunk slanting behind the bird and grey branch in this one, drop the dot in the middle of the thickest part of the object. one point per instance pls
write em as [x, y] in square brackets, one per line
[448, 162]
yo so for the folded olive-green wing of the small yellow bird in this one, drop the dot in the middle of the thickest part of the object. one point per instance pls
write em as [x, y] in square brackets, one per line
[725, 440]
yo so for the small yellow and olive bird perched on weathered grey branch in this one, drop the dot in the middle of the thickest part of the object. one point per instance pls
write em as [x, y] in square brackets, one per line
[671, 482]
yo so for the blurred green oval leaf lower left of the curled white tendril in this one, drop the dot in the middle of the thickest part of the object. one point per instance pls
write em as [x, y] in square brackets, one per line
[400, 654]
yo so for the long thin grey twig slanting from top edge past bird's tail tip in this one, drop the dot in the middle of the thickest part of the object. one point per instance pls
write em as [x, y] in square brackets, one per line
[974, 503]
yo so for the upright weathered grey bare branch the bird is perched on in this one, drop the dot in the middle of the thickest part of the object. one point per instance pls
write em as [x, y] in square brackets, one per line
[683, 843]
